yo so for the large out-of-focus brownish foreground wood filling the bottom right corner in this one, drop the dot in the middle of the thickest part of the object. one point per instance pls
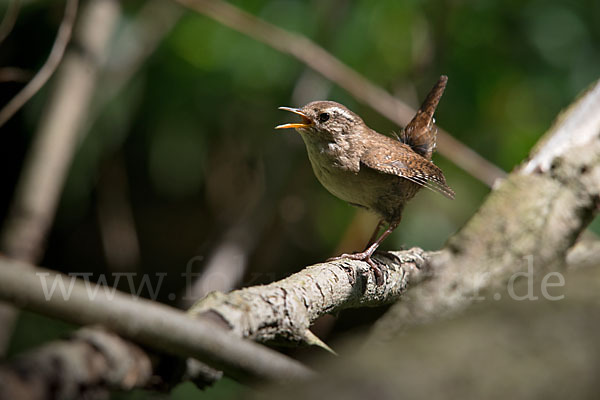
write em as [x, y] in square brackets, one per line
[497, 350]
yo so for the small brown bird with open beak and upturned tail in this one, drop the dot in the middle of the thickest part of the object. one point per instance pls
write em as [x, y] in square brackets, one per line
[368, 169]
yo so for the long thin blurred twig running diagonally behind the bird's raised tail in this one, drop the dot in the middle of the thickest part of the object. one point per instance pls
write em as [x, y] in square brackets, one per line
[326, 64]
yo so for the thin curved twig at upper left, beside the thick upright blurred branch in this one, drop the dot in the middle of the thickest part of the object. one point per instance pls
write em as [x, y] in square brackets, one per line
[56, 55]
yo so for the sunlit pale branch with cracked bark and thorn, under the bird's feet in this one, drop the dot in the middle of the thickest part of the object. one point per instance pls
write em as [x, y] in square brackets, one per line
[284, 310]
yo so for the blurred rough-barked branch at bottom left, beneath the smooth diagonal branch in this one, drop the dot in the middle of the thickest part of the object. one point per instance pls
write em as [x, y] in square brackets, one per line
[77, 368]
